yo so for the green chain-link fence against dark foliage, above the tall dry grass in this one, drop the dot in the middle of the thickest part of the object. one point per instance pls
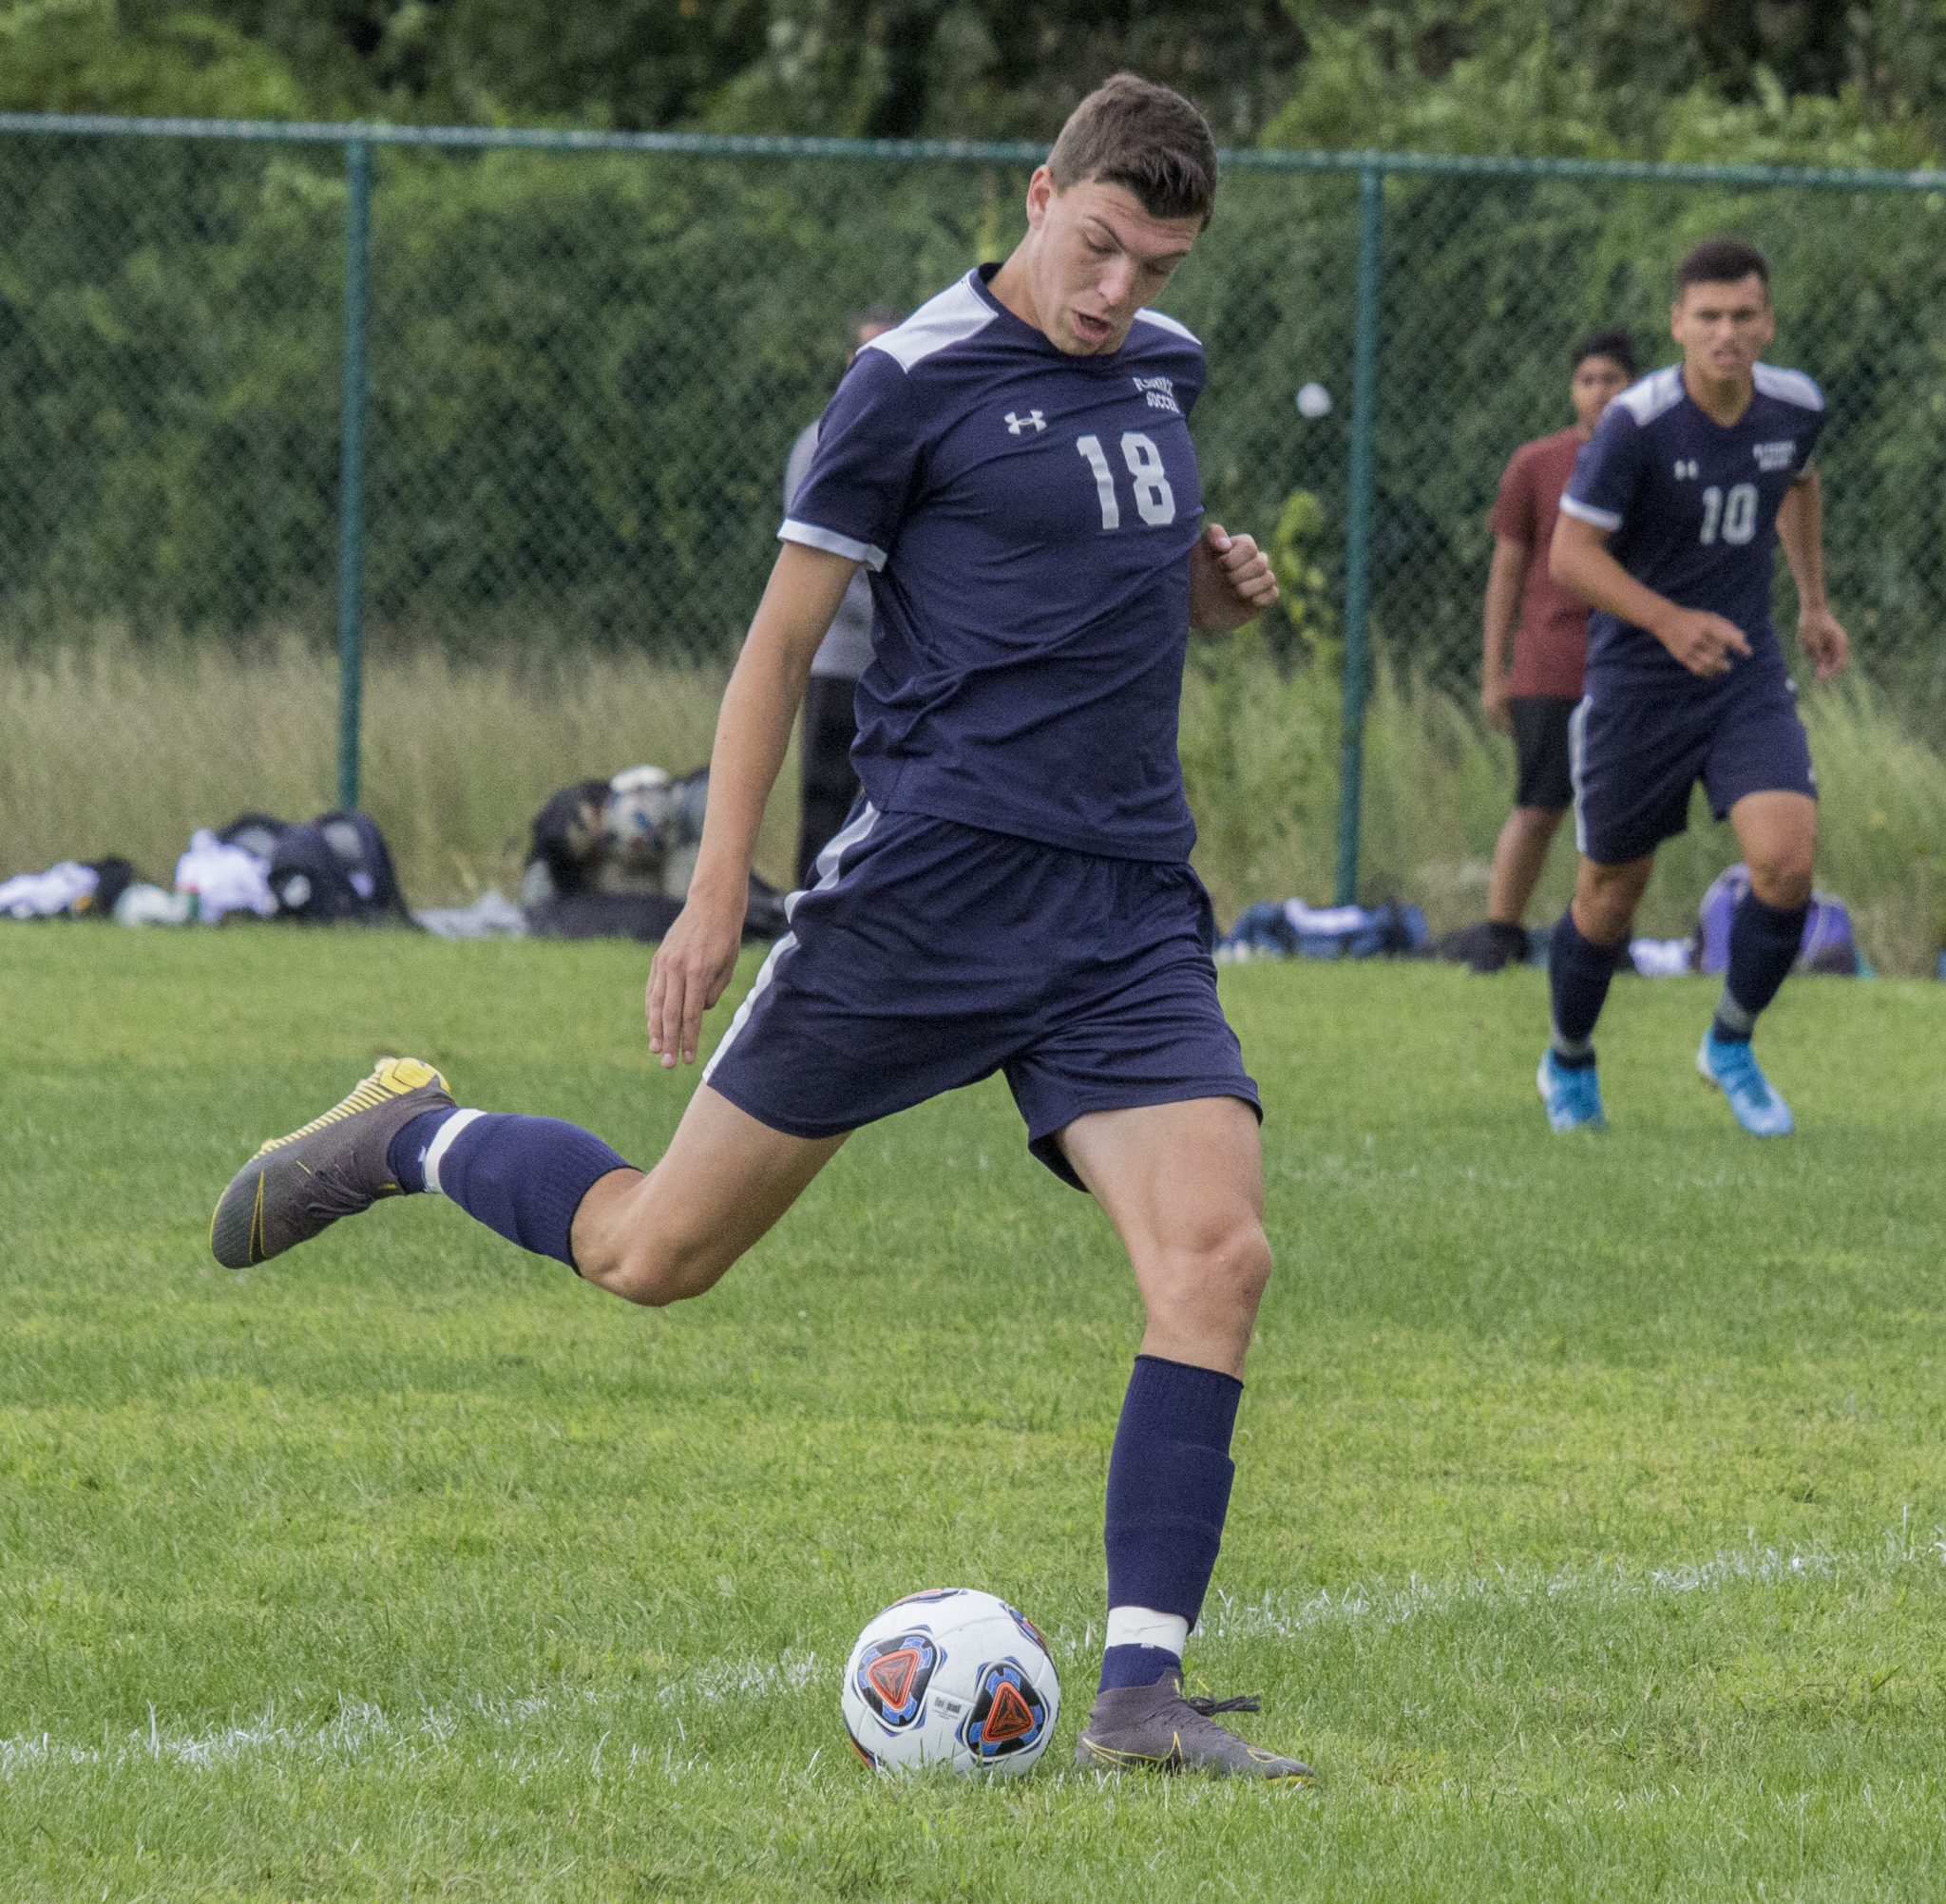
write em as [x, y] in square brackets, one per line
[585, 361]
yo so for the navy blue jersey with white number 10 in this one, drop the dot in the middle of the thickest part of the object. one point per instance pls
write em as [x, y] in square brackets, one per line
[1692, 509]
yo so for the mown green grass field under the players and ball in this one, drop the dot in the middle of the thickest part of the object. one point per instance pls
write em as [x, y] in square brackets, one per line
[1589, 1535]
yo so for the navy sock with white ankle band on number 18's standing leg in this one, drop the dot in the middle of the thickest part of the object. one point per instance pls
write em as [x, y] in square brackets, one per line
[1169, 1491]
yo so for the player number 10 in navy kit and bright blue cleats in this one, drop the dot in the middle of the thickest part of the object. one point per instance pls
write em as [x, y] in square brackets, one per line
[1669, 530]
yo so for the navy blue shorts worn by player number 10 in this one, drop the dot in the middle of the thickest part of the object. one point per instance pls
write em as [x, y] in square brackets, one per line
[1636, 759]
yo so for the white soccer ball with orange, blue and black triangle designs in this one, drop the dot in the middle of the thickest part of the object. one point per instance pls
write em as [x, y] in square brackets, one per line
[951, 1677]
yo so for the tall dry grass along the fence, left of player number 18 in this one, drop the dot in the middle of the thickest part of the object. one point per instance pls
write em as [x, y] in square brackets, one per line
[112, 748]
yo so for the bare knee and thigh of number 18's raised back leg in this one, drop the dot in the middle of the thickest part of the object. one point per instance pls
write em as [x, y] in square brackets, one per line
[665, 1234]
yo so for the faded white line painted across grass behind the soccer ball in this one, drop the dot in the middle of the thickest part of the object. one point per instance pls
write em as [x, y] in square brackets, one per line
[363, 1730]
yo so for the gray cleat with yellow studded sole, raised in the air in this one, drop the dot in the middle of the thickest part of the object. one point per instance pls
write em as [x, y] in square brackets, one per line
[338, 1166]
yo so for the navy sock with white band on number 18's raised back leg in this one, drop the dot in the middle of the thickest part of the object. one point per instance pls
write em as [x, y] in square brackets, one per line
[521, 1176]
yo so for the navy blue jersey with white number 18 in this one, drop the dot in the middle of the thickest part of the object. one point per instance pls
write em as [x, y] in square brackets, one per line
[1028, 520]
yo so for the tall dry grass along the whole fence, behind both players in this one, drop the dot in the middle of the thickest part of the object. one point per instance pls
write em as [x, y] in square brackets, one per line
[112, 748]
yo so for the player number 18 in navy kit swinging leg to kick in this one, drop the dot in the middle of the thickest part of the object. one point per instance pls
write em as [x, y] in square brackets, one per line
[1013, 892]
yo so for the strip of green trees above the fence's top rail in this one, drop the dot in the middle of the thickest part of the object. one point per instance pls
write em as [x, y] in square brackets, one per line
[1626, 77]
